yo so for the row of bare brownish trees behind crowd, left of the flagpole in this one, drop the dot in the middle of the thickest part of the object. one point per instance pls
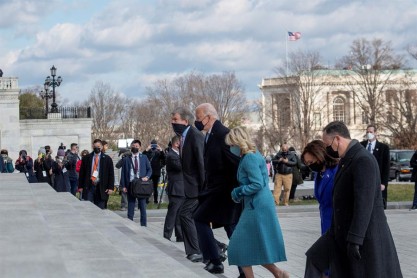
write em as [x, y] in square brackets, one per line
[117, 117]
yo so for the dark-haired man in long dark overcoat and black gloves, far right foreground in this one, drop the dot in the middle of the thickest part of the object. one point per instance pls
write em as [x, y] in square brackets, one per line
[359, 240]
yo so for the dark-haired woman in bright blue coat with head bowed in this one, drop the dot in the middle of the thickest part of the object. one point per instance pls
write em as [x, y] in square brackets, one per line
[325, 166]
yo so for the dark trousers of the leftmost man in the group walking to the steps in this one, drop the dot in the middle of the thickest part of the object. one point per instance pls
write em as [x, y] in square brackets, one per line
[172, 219]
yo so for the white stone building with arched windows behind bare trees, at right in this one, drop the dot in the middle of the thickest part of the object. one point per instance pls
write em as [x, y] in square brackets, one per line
[333, 99]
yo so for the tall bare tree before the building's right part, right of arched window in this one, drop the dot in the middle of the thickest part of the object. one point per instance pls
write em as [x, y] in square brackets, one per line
[372, 64]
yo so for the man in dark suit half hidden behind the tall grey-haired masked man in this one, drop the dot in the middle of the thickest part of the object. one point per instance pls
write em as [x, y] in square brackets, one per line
[175, 190]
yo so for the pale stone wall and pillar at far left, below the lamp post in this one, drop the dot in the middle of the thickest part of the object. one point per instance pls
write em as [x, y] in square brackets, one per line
[31, 134]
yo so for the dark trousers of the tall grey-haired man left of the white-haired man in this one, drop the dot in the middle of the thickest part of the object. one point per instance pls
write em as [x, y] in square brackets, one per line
[189, 232]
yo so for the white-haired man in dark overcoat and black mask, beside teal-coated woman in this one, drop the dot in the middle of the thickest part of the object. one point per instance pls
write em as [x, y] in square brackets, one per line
[215, 203]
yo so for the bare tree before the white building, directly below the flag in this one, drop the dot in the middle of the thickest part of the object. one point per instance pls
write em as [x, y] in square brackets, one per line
[293, 112]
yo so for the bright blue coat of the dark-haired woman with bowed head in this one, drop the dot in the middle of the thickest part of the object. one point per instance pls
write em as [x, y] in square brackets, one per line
[323, 191]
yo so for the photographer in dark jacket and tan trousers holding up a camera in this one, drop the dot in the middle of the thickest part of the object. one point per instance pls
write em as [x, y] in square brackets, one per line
[283, 163]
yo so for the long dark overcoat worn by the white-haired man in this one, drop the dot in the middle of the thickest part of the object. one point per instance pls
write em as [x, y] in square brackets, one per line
[220, 167]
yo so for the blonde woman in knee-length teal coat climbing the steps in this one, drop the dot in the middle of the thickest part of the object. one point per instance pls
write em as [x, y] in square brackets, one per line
[257, 239]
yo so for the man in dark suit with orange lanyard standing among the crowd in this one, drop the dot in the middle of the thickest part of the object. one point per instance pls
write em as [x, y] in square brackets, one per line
[97, 175]
